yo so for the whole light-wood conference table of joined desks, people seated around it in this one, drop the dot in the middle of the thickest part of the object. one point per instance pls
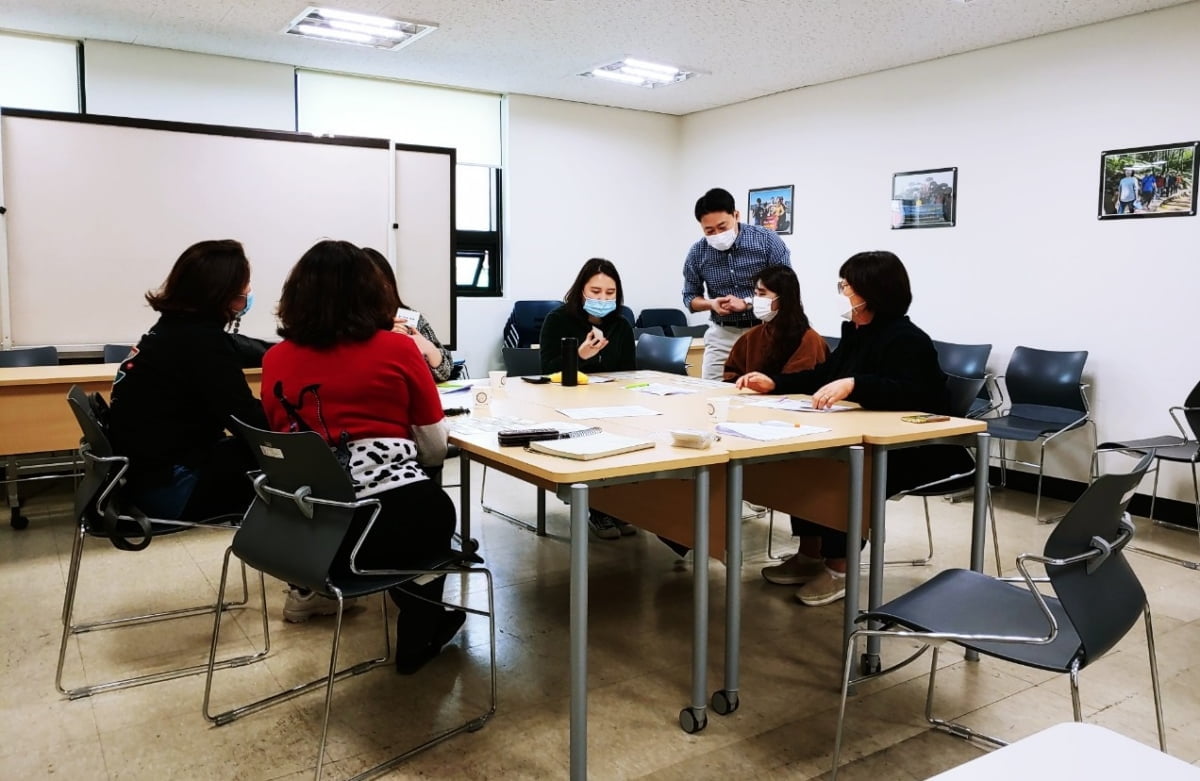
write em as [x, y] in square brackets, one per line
[676, 492]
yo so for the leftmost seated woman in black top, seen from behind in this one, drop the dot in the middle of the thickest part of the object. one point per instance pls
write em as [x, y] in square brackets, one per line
[176, 393]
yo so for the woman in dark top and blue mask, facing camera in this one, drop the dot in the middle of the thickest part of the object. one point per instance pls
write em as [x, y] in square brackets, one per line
[593, 302]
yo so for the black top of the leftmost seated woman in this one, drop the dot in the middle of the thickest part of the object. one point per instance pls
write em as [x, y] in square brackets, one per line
[173, 399]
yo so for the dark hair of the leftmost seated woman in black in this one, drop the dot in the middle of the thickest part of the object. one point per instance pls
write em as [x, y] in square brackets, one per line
[206, 280]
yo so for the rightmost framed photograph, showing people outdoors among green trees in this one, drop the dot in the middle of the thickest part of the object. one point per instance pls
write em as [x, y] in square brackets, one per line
[1149, 182]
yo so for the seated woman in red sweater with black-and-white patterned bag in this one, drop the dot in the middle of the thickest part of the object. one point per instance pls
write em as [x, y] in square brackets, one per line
[343, 373]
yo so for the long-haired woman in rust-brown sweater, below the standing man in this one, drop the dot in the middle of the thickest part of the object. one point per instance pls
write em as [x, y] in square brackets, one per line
[783, 343]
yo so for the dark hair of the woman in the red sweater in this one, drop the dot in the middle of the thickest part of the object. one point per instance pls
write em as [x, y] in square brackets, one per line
[334, 296]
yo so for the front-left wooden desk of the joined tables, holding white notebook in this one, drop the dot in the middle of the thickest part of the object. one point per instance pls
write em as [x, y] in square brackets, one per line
[572, 482]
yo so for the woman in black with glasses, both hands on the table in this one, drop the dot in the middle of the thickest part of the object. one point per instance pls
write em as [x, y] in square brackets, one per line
[884, 362]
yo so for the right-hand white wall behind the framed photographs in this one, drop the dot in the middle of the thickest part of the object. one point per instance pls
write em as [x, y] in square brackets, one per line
[1029, 263]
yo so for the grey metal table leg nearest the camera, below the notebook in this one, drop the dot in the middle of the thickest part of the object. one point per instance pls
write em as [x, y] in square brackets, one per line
[579, 633]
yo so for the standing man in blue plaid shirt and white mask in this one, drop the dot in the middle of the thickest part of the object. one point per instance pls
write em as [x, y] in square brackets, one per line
[721, 272]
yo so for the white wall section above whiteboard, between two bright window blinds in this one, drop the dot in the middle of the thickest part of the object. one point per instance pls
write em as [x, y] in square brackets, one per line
[139, 81]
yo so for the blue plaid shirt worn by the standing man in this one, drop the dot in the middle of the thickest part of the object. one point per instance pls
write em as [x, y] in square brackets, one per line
[733, 272]
